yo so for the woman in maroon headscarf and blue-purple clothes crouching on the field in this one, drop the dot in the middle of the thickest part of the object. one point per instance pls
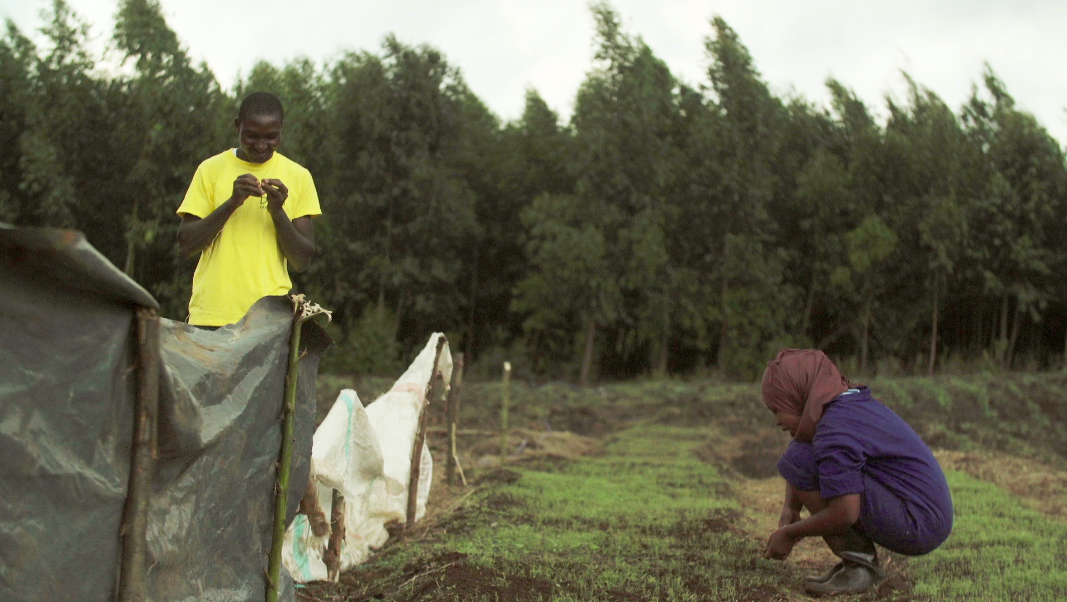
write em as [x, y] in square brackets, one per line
[863, 473]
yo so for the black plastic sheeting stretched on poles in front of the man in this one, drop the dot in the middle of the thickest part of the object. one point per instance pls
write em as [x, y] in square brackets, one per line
[68, 386]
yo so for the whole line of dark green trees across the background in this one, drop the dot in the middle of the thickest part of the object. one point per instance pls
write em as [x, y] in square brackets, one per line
[668, 228]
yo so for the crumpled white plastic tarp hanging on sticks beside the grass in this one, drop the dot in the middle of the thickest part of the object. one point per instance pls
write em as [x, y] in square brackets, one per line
[367, 455]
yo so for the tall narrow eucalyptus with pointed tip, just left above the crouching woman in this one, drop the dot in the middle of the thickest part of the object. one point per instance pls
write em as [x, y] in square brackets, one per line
[756, 304]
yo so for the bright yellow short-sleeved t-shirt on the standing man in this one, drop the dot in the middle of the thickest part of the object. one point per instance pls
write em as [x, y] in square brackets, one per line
[245, 263]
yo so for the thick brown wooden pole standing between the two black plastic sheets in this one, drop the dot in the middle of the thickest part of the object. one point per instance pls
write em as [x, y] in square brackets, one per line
[134, 568]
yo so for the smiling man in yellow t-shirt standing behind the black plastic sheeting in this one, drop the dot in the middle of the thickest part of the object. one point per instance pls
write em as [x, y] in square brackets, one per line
[249, 214]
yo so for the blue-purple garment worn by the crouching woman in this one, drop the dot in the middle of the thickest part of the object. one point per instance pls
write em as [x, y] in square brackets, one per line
[862, 447]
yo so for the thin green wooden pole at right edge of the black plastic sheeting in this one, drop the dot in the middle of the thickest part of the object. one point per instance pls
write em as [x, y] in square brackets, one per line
[285, 462]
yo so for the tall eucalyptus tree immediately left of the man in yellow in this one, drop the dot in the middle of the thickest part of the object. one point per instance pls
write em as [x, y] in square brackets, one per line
[173, 117]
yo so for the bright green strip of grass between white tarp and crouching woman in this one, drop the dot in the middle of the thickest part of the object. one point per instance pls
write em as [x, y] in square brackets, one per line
[646, 520]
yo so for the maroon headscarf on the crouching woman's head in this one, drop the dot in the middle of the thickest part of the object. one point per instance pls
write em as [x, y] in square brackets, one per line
[802, 383]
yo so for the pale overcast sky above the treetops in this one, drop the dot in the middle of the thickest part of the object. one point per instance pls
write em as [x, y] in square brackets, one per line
[506, 46]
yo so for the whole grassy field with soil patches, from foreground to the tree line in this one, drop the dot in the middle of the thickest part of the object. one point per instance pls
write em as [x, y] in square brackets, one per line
[665, 490]
